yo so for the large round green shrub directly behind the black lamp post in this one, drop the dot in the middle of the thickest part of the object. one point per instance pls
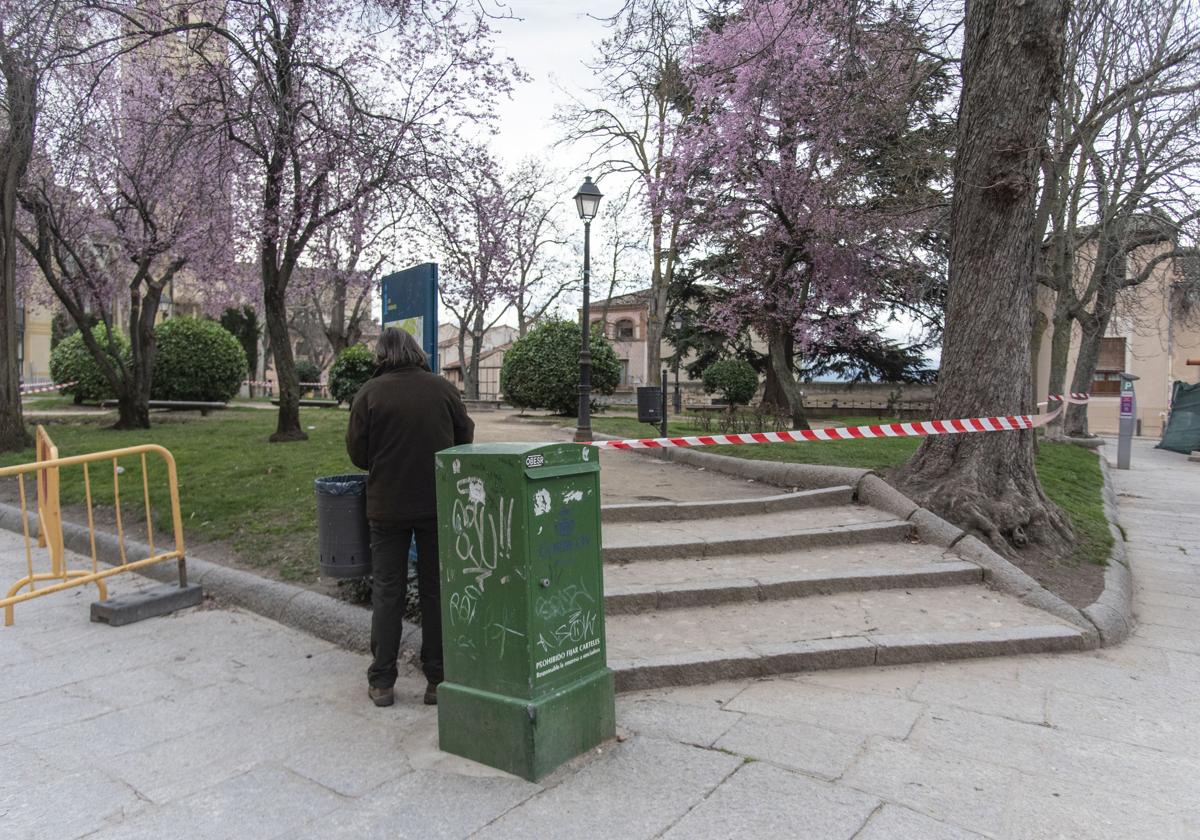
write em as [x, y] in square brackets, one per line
[543, 369]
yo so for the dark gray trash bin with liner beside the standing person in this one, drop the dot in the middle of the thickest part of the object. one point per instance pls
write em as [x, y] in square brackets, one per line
[344, 536]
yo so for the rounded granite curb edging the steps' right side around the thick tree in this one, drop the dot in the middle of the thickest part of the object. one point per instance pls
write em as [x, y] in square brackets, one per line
[1106, 622]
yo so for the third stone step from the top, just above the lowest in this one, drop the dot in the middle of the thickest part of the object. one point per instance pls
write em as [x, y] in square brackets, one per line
[667, 585]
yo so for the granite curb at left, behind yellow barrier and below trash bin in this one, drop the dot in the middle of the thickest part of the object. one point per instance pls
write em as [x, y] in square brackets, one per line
[311, 613]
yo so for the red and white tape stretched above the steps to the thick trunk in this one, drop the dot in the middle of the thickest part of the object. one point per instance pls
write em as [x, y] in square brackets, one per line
[892, 430]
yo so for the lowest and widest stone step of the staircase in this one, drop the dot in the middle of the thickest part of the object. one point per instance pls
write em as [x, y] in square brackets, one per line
[740, 641]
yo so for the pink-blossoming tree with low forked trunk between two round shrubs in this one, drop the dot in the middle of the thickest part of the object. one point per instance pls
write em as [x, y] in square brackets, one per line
[125, 193]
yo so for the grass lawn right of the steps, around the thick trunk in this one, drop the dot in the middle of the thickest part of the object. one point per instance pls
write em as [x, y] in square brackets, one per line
[1071, 476]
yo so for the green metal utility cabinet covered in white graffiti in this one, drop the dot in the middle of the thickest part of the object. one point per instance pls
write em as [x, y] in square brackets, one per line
[523, 607]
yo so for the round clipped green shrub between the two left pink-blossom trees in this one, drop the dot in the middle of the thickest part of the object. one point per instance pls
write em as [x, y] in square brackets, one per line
[197, 361]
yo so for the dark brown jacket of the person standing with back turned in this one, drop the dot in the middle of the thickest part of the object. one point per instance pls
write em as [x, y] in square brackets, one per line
[399, 421]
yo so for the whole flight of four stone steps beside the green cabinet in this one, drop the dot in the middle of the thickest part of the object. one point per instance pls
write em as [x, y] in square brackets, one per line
[707, 591]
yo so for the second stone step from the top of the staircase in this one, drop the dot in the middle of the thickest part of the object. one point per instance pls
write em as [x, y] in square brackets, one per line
[765, 533]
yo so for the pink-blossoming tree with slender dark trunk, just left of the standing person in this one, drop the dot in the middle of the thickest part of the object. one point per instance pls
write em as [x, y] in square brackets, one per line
[373, 91]
